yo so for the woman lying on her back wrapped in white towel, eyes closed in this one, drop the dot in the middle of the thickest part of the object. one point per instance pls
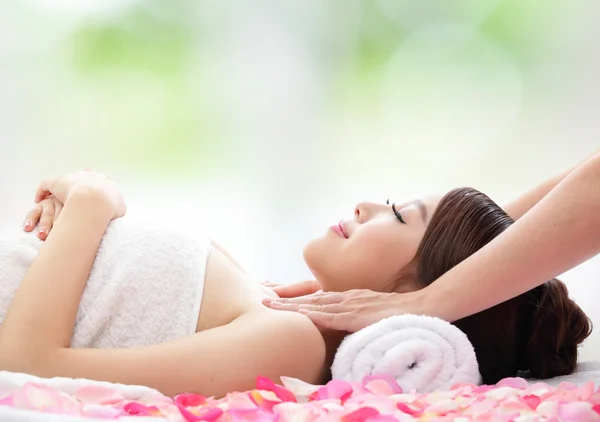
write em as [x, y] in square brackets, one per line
[155, 307]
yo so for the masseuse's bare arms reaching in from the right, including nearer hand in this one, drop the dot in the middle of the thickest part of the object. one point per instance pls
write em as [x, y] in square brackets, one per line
[557, 228]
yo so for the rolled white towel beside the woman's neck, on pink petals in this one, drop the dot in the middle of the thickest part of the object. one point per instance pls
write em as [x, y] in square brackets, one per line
[422, 353]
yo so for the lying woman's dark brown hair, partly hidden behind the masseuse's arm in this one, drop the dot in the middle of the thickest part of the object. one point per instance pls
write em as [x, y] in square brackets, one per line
[537, 332]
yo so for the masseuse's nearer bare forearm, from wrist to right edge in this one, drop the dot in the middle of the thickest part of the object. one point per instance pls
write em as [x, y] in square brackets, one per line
[559, 232]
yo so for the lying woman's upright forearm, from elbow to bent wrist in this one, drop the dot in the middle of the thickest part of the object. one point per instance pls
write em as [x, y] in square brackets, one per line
[42, 313]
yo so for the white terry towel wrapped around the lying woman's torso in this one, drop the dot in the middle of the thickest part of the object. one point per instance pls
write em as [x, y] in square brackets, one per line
[145, 286]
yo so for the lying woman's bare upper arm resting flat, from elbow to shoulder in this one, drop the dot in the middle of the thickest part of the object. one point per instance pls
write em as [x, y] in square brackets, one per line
[212, 362]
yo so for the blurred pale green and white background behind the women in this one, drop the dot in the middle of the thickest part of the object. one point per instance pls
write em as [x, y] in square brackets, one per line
[268, 120]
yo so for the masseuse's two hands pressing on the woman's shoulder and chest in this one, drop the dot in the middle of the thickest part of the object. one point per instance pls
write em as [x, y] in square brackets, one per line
[348, 311]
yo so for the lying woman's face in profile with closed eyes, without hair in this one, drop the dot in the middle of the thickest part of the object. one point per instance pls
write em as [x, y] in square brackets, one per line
[369, 250]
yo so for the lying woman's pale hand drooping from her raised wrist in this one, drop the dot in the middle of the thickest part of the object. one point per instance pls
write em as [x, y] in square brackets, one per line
[84, 183]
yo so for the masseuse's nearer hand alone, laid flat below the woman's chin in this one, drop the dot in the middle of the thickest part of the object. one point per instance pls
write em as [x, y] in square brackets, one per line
[351, 310]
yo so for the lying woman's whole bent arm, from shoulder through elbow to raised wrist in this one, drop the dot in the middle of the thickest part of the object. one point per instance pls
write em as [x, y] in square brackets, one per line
[38, 328]
